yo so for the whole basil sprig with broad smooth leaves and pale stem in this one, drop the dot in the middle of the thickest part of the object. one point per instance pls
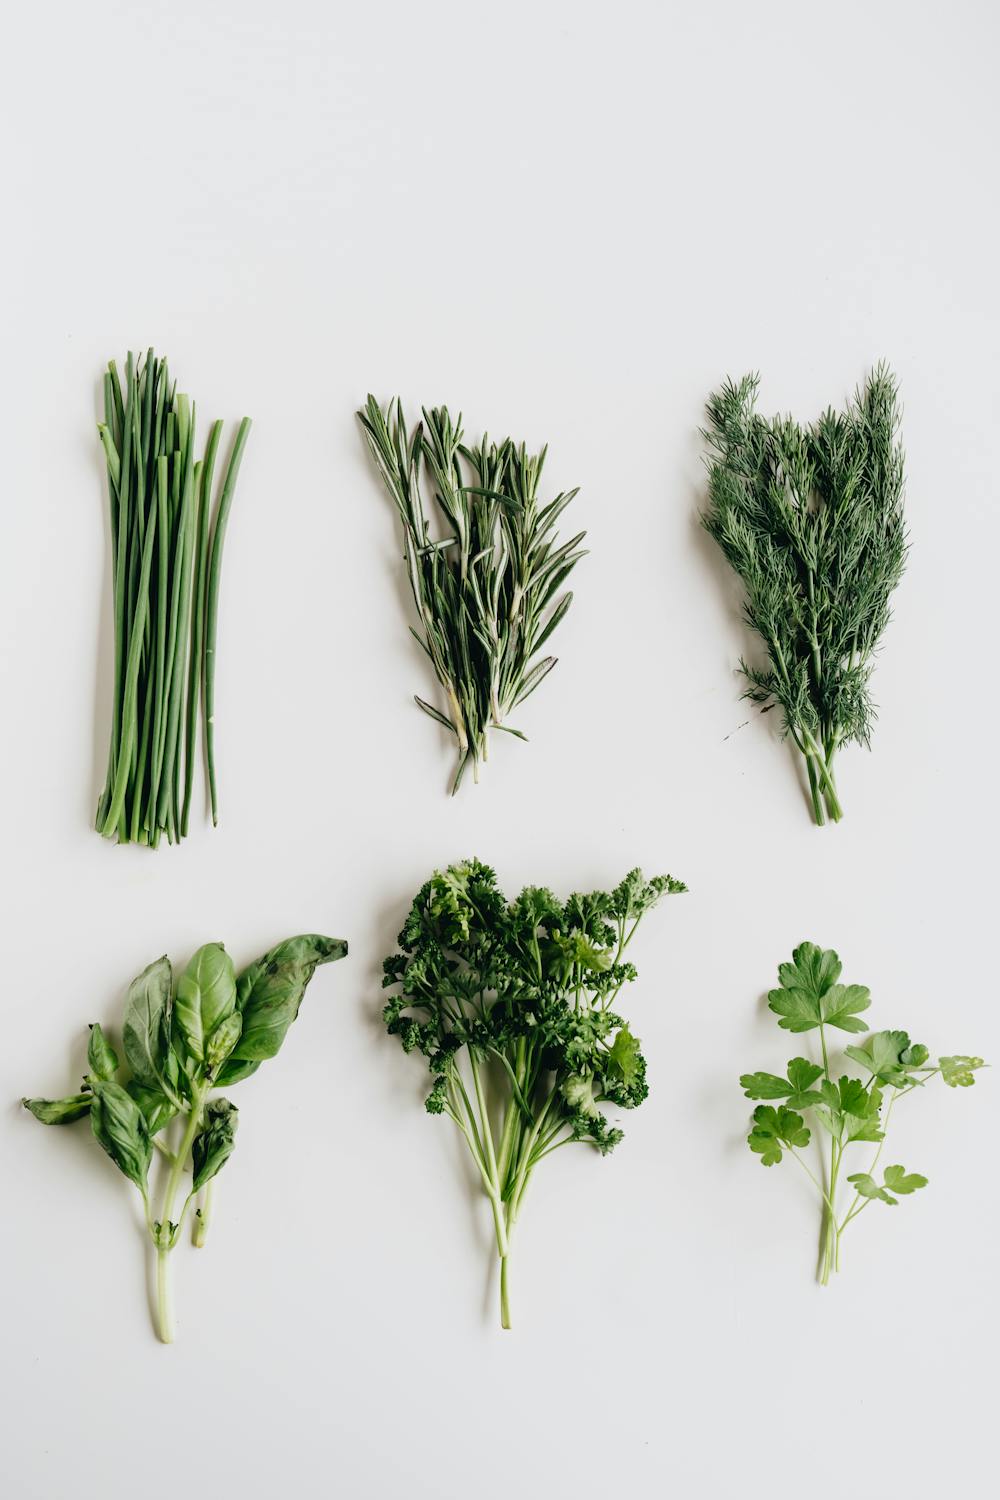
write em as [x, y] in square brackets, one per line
[181, 1043]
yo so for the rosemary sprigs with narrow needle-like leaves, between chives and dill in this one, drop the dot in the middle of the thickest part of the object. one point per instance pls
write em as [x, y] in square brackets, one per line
[487, 592]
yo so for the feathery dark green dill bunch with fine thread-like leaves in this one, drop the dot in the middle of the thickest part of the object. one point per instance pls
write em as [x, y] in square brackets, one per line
[812, 520]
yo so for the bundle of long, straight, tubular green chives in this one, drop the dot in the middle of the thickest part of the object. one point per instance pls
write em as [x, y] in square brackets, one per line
[167, 562]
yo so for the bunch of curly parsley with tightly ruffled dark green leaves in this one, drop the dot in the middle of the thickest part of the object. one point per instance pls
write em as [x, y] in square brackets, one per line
[515, 1010]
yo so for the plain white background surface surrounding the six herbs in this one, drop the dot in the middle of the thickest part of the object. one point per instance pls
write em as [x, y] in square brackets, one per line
[572, 223]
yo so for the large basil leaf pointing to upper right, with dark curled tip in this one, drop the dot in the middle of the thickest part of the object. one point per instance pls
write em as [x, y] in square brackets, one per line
[271, 992]
